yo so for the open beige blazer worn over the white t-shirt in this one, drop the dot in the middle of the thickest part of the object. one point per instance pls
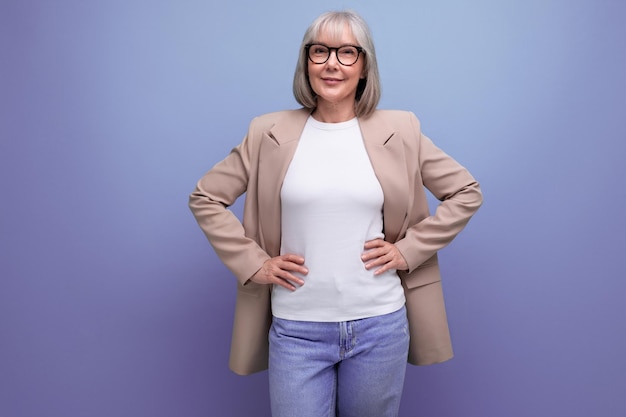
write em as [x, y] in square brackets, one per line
[404, 160]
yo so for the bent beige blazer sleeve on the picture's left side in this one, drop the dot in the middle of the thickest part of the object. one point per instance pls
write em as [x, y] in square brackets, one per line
[214, 193]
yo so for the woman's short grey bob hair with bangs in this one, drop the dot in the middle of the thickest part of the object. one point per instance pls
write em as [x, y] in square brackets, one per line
[368, 90]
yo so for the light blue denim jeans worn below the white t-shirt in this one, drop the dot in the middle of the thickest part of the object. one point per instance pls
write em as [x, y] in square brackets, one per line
[346, 369]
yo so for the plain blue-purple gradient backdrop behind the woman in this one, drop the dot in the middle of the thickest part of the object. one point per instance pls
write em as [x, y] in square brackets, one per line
[112, 302]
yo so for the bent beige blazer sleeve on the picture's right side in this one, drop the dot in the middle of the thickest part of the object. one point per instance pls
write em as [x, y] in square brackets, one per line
[456, 189]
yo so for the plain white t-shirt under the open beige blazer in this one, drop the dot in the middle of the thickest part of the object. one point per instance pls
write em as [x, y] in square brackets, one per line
[331, 204]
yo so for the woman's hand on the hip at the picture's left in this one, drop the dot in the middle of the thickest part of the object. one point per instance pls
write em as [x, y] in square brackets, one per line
[278, 270]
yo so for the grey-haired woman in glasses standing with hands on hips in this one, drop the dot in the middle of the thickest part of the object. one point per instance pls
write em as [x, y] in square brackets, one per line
[336, 235]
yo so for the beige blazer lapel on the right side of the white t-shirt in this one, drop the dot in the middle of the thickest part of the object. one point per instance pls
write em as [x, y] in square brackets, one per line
[386, 153]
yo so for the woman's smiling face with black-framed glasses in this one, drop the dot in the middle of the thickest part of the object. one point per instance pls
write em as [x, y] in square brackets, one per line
[336, 84]
